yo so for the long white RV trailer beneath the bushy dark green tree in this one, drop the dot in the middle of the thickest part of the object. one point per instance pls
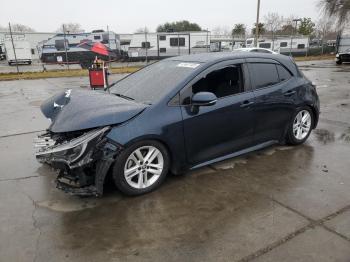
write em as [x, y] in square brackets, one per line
[161, 45]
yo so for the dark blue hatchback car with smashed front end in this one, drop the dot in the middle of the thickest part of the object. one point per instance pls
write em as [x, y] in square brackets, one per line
[177, 114]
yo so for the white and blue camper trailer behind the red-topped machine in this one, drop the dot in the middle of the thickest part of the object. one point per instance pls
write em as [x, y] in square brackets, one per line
[64, 48]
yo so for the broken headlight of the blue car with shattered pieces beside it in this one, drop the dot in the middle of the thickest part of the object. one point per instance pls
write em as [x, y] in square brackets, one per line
[68, 152]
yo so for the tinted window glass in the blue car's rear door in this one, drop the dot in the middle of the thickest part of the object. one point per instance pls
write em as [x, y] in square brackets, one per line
[263, 75]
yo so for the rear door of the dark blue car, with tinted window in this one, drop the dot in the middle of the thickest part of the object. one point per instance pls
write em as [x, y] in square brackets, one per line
[274, 98]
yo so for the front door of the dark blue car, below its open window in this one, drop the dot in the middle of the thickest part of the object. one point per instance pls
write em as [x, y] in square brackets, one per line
[220, 129]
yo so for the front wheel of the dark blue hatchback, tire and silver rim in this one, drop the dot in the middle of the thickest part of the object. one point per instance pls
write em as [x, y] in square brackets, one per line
[135, 184]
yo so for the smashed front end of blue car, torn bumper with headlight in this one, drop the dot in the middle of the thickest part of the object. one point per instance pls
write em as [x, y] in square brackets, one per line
[82, 161]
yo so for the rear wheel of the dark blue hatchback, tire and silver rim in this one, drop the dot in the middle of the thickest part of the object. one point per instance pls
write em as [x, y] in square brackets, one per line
[299, 130]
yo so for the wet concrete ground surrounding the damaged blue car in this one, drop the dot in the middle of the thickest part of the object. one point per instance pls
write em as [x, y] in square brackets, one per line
[279, 204]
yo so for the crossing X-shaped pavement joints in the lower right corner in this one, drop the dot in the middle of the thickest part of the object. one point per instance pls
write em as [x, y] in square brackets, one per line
[312, 224]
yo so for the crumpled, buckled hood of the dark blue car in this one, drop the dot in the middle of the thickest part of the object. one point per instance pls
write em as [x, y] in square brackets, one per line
[74, 110]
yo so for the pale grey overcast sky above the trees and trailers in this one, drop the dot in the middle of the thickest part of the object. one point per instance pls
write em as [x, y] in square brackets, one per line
[128, 15]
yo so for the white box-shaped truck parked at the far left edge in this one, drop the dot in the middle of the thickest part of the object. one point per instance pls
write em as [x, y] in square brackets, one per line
[23, 53]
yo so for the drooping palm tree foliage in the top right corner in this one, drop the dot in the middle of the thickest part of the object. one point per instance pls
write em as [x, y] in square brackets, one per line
[337, 8]
